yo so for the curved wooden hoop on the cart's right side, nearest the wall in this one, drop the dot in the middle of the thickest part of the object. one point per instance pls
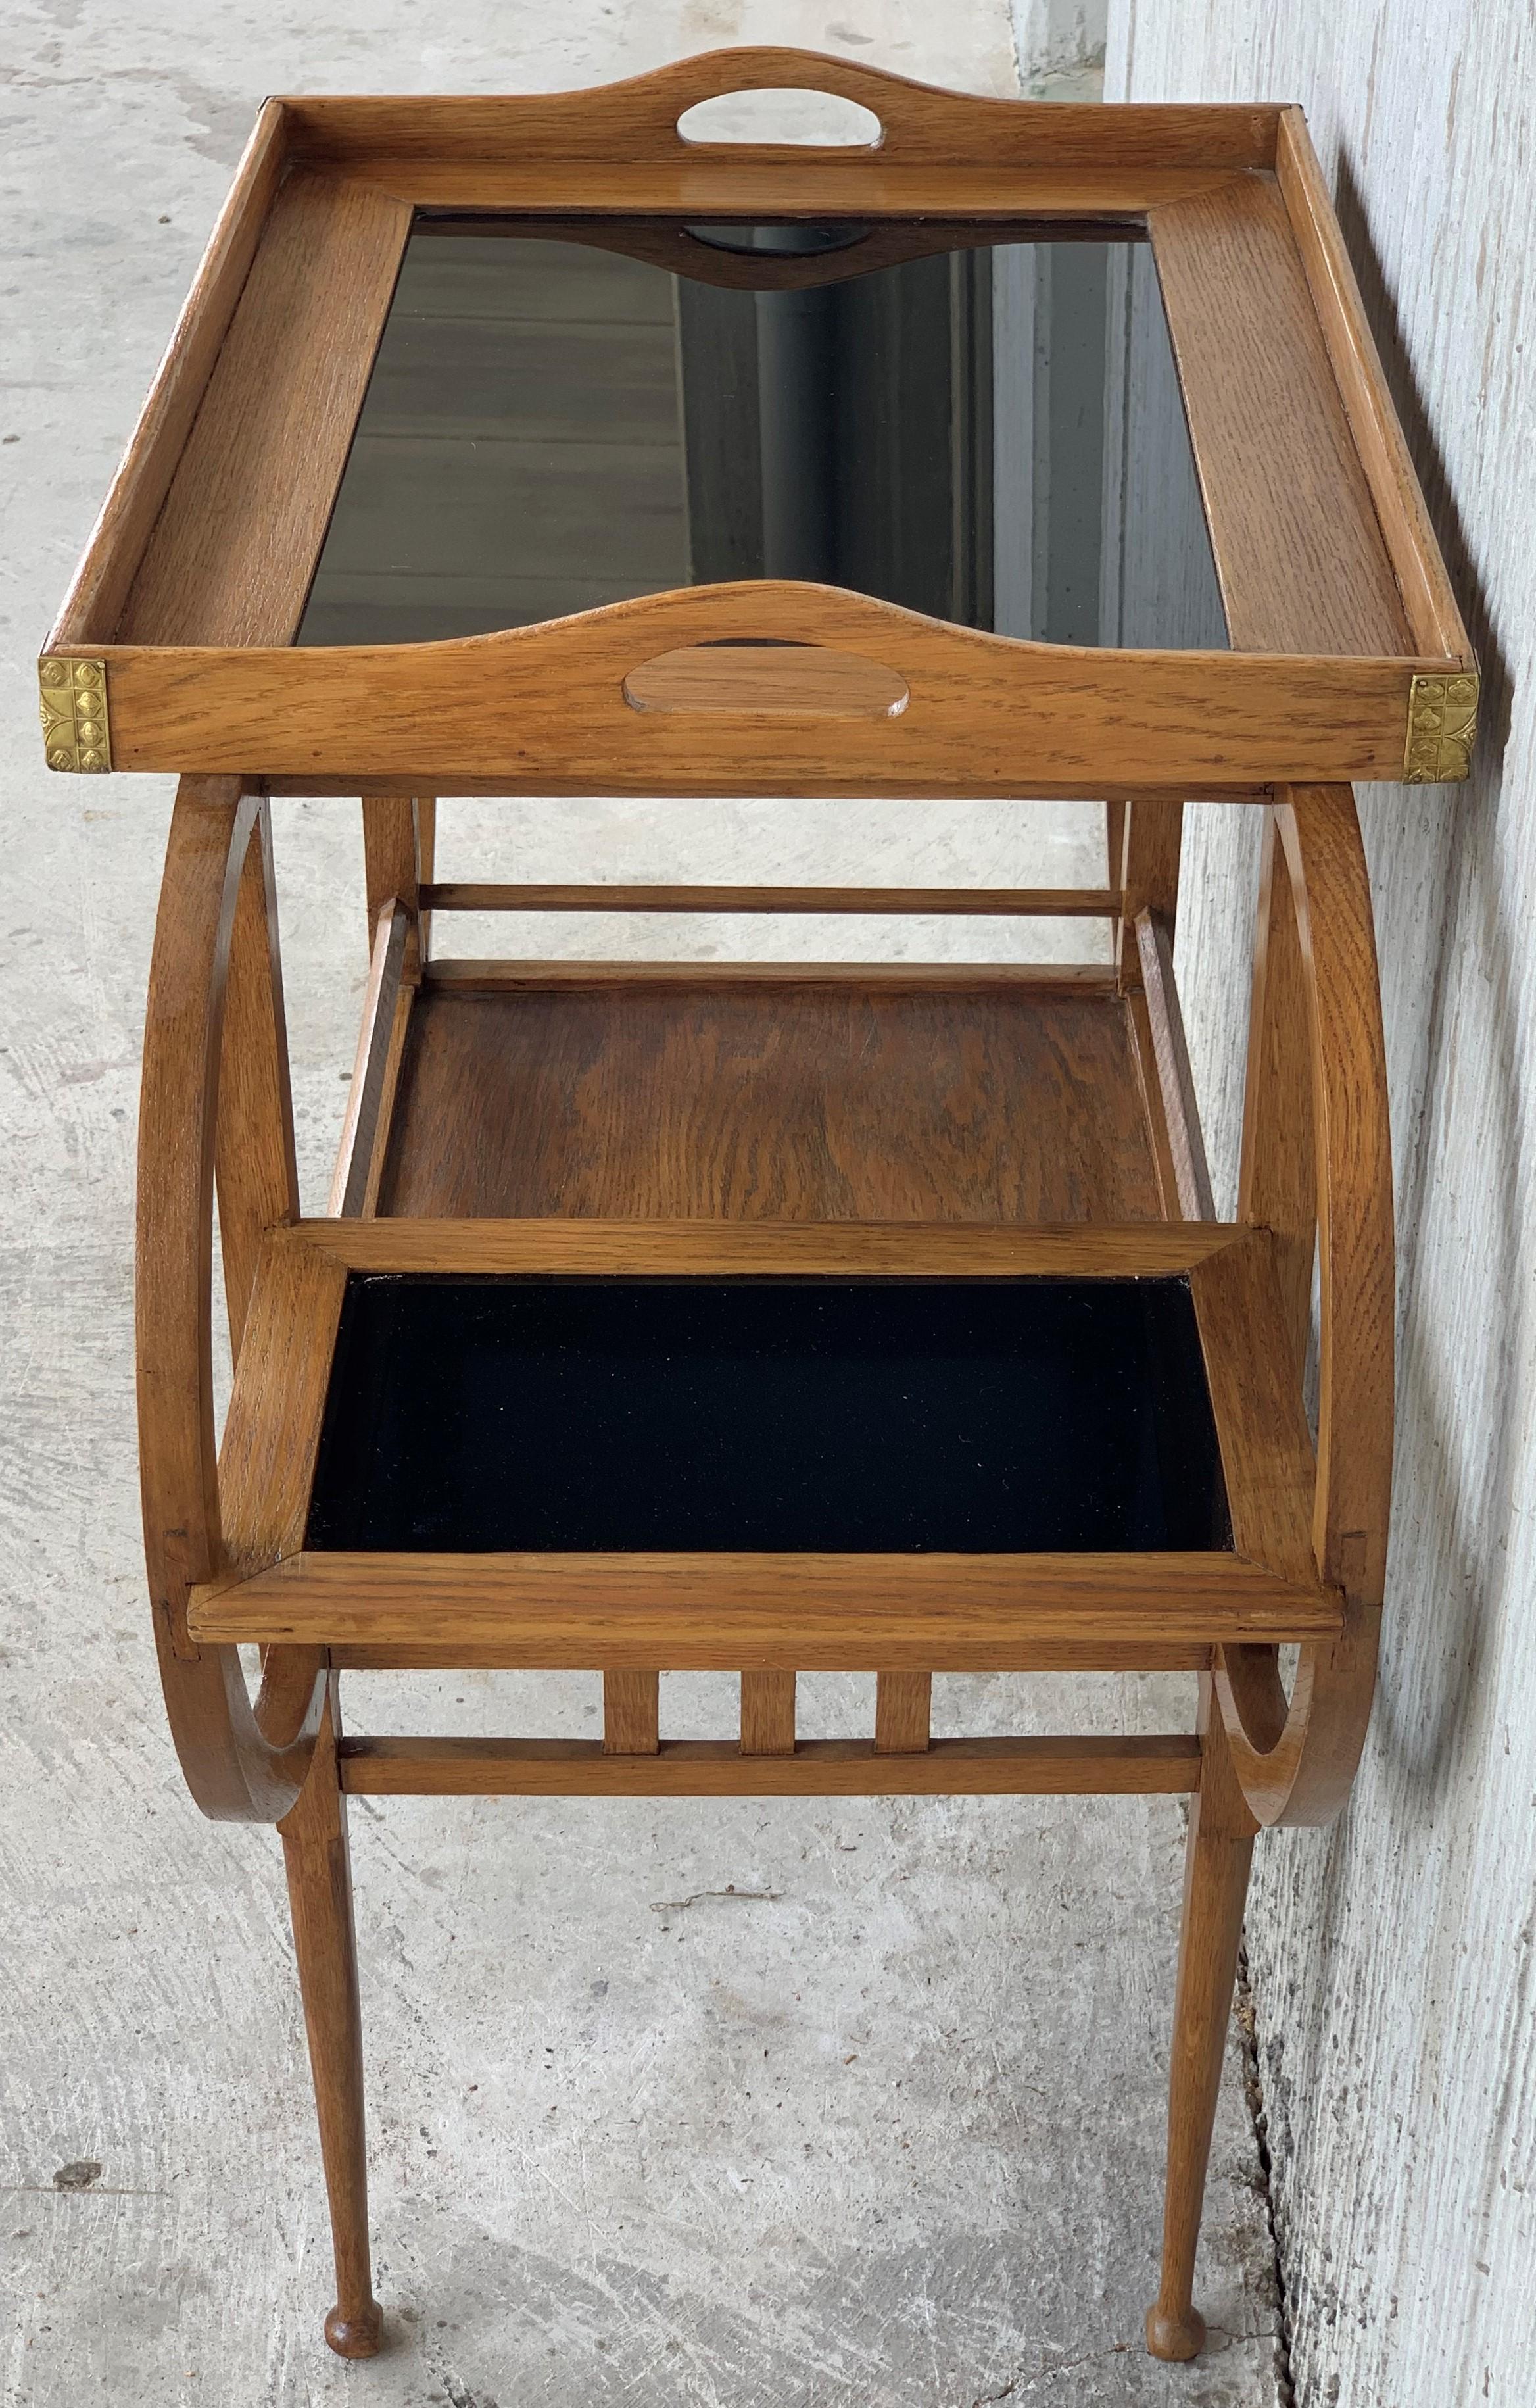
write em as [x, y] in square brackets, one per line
[1318, 1159]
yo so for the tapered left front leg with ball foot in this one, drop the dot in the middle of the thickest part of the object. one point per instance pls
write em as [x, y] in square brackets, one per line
[314, 1841]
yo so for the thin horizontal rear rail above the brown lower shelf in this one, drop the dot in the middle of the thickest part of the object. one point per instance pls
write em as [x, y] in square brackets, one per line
[967, 902]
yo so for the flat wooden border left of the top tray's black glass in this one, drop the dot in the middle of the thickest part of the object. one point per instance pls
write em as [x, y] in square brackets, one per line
[237, 541]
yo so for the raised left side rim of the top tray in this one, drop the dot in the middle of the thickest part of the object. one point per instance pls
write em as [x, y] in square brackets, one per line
[100, 589]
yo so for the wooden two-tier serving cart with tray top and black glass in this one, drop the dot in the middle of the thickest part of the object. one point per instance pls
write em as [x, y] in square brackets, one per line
[738, 1316]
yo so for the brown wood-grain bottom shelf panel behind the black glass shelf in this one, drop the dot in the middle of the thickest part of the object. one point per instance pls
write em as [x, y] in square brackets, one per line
[803, 1104]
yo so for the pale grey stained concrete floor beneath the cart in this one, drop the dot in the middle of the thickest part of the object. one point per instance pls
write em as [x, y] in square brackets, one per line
[834, 2103]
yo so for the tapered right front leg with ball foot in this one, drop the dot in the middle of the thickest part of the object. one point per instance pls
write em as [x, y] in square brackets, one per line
[1217, 1863]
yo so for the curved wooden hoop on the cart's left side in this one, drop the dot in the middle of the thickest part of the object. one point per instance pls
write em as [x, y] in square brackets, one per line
[242, 1764]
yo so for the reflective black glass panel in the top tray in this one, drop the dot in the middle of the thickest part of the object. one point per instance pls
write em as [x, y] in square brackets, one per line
[981, 430]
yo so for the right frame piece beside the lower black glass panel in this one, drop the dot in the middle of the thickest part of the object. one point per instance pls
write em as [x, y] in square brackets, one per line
[1258, 1405]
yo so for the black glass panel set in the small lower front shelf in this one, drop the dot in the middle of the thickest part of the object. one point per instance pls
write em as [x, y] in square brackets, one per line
[786, 1415]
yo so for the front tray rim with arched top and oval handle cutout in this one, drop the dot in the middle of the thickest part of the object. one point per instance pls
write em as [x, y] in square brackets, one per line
[986, 714]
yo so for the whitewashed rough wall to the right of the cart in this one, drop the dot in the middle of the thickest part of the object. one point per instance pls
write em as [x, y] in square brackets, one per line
[1393, 1959]
